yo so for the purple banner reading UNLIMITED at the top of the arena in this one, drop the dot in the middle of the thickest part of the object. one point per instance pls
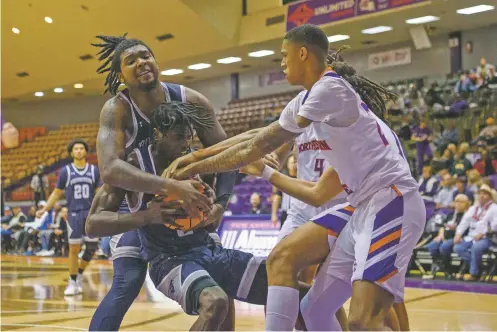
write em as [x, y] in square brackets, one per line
[321, 12]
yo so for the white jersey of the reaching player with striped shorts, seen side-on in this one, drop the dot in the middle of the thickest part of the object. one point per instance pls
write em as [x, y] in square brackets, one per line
[364, 151]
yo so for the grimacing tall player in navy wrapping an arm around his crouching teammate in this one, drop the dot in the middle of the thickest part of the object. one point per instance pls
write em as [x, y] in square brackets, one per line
[125, 125]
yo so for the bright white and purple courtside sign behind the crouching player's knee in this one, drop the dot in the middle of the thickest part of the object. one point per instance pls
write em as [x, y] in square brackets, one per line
[254, 234]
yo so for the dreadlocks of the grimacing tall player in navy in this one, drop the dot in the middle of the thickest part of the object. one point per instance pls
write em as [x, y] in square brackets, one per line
[110, 53]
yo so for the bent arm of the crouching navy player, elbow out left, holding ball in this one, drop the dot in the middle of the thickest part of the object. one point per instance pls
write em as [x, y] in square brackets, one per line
[104, 219]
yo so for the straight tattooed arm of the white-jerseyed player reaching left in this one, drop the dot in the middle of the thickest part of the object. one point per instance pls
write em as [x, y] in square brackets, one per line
[266, 141]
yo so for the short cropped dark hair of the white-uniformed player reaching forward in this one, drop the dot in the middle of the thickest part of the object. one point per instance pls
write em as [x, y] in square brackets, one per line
[310, 36]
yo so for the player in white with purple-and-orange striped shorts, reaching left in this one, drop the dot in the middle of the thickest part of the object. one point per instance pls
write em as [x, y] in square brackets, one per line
[372, 252]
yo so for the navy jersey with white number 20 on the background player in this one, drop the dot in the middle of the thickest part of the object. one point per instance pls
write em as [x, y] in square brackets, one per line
[79, 185]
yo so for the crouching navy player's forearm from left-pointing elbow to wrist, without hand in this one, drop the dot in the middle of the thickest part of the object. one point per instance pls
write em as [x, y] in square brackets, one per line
[107, 223]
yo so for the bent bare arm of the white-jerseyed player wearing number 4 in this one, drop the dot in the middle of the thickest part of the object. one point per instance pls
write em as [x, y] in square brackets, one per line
[312, 193]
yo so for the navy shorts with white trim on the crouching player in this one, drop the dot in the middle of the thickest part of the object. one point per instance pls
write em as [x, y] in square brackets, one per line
[241, 275]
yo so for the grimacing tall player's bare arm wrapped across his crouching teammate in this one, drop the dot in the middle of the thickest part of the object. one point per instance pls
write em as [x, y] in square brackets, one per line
[116, 172]
